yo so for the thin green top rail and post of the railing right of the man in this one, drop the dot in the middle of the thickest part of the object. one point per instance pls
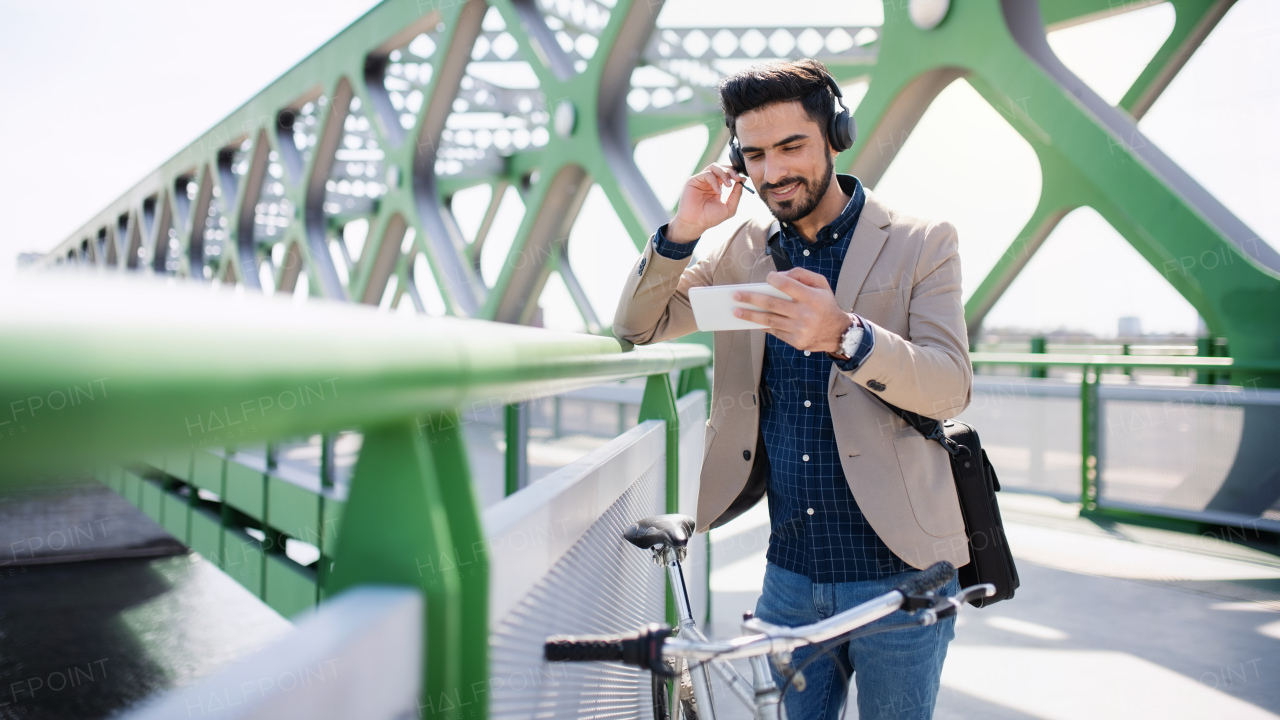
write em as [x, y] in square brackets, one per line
[1091, 368]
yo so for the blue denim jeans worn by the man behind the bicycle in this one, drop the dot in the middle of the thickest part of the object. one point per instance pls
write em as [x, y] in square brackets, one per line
[898, 672]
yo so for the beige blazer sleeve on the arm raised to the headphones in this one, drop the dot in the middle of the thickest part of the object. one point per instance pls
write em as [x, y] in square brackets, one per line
[655, 304]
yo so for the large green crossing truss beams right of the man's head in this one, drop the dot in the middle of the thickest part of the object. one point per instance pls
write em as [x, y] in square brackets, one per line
[1089, 156]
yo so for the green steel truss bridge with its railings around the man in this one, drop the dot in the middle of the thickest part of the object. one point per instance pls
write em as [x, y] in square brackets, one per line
[323, 449]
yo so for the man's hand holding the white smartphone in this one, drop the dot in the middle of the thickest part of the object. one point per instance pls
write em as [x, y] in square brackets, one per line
[813, 322]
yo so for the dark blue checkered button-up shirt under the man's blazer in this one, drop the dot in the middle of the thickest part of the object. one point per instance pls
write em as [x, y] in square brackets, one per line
[817, 527]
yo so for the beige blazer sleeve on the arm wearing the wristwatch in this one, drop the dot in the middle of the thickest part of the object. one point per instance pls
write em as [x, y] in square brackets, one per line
[929, 372]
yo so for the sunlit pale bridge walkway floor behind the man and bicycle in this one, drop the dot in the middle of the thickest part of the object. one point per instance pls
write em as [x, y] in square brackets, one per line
[1112, 622]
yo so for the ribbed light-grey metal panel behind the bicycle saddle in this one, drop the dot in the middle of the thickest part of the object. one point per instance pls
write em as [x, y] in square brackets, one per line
[598, 585]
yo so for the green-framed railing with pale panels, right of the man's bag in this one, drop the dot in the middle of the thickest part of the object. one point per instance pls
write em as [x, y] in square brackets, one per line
[1195, 454]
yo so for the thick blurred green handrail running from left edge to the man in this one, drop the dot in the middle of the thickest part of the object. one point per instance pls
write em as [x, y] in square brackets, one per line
[98, 384]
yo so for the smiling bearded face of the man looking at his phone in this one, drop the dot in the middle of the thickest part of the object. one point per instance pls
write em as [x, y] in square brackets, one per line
[788, 158]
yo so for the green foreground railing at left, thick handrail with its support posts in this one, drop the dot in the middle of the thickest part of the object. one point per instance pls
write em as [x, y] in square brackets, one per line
[150, 388]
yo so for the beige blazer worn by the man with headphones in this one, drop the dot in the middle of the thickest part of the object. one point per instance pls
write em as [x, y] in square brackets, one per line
[903, 277]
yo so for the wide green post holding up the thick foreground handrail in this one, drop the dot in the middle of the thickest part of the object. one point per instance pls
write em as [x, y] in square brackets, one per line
[412, 521]
